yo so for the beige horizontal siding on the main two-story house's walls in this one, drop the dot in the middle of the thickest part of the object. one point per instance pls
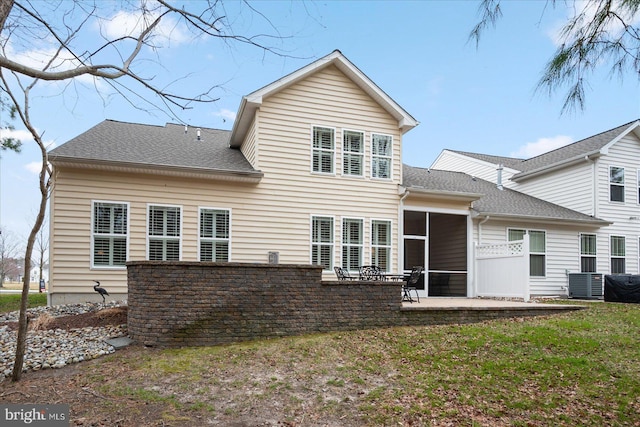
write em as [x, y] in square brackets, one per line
[273, 215]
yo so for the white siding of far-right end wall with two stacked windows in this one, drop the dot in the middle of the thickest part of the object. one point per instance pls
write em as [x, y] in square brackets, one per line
[625, 153]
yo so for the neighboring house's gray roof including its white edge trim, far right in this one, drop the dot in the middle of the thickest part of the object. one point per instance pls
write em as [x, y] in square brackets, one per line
[592, 146]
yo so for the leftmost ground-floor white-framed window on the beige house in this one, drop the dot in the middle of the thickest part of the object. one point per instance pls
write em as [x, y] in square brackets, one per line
[109, 234]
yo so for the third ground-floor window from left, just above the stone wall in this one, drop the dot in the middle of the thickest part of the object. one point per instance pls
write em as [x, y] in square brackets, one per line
[214, 235]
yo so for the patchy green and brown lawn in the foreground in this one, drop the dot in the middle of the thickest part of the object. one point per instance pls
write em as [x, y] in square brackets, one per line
[578, 368]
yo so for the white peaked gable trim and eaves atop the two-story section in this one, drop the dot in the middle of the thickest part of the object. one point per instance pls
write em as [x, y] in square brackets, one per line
[250, 103]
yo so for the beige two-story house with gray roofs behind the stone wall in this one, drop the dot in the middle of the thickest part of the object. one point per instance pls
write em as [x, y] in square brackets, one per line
[310, 173]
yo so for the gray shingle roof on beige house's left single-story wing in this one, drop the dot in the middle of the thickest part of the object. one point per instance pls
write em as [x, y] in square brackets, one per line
[165, 149]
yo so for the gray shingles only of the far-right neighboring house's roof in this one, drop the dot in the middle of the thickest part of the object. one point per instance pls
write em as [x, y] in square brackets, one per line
[577, 149]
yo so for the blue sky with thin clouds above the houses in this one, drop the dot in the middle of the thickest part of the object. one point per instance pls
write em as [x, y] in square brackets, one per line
[480, 100]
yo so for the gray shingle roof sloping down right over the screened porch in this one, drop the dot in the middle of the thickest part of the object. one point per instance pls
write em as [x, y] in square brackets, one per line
[491, 201]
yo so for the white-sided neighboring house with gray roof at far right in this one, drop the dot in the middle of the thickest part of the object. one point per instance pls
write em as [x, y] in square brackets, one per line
[597, 176]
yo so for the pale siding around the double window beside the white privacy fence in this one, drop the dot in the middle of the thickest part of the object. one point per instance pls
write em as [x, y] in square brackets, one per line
[562, 251]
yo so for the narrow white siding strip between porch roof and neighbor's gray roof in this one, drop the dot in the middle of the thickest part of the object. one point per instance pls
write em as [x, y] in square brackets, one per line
[456, 162]
